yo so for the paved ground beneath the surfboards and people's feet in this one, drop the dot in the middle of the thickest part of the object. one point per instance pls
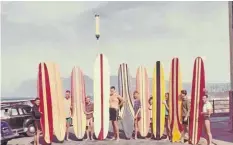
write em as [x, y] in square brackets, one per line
[220, 130]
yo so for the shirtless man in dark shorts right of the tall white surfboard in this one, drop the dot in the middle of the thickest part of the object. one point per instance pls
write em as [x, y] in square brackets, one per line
[115, 101]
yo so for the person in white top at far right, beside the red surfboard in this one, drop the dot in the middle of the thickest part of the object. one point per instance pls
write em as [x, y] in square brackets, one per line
[207, 110]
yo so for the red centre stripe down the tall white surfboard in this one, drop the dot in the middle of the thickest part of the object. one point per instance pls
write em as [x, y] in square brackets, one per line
[101, 136]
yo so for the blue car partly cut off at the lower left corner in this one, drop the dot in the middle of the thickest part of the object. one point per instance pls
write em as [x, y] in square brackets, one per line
[6, 133]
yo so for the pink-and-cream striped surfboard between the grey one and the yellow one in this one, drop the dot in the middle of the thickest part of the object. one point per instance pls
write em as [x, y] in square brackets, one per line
[142, 86]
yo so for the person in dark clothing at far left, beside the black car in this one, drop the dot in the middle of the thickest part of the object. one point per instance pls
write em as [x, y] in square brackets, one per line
[36, 116]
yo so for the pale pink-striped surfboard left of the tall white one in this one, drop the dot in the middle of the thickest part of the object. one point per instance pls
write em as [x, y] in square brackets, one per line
[78, 102]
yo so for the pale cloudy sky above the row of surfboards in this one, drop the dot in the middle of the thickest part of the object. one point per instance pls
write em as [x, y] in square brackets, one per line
[137, 33]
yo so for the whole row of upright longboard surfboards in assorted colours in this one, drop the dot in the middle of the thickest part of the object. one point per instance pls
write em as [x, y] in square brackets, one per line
[52, 105]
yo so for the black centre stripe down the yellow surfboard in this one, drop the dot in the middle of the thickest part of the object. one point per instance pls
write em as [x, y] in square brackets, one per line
[158, 99]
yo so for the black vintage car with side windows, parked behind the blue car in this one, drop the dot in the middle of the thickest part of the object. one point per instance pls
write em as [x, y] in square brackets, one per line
[19, 117]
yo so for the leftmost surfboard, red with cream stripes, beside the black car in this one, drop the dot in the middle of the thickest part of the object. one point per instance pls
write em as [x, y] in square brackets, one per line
[44, 93]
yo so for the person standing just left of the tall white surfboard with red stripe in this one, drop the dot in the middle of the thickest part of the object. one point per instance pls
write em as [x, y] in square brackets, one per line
[89, 116]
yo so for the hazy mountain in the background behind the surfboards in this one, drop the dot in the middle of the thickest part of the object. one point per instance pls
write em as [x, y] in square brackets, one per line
[28, 88]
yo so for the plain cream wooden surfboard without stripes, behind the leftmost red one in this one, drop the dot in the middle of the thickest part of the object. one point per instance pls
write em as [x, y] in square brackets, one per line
[59, 121]
